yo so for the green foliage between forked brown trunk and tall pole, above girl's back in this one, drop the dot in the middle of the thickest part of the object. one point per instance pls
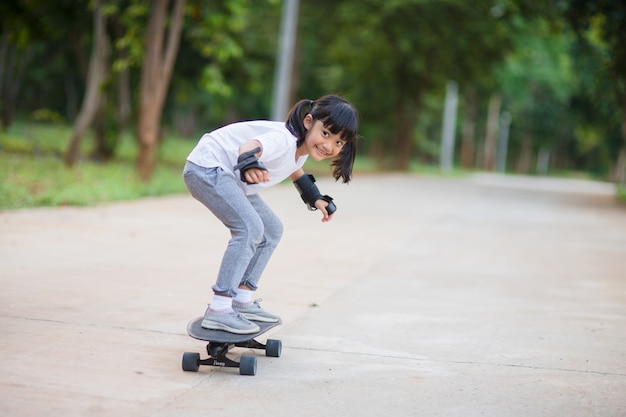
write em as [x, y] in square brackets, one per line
[227, 58]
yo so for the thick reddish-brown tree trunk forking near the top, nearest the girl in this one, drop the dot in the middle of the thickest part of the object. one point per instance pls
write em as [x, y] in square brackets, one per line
[155, 76]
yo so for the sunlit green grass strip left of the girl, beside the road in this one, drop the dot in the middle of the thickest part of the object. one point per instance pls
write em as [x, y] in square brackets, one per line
[32, 172]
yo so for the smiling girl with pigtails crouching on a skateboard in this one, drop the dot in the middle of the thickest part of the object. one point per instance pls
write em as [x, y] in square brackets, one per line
[231, 165]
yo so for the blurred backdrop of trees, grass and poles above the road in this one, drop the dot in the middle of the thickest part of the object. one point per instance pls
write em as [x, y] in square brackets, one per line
[103, 99]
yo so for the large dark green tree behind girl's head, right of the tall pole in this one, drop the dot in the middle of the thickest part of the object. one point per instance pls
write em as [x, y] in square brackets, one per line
[392, 57]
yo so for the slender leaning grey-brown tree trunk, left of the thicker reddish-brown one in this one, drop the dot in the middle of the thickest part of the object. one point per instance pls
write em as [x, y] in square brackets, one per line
[98, 66]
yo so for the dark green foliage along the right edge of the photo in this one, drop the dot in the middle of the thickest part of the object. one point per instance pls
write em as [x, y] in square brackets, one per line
[600, 101]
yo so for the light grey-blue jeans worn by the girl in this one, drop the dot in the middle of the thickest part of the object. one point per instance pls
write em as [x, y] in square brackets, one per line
[254, 228]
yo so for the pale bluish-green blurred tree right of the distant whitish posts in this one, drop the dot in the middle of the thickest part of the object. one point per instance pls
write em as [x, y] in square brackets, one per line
[536, 80]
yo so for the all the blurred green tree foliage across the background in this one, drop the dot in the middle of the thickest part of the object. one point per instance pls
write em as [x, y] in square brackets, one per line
[392, 59]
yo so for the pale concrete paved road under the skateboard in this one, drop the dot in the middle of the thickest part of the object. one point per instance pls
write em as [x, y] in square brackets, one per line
[481, 296]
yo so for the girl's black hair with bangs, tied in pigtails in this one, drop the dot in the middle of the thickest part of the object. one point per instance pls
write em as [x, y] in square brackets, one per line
[338, 116]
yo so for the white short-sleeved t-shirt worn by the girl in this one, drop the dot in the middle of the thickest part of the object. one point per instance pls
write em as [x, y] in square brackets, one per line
[220, 148]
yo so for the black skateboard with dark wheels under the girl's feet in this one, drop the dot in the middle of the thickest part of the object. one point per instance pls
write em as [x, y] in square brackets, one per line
[221, 342]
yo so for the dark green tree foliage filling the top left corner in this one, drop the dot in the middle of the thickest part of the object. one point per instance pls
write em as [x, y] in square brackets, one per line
[38, 41]
